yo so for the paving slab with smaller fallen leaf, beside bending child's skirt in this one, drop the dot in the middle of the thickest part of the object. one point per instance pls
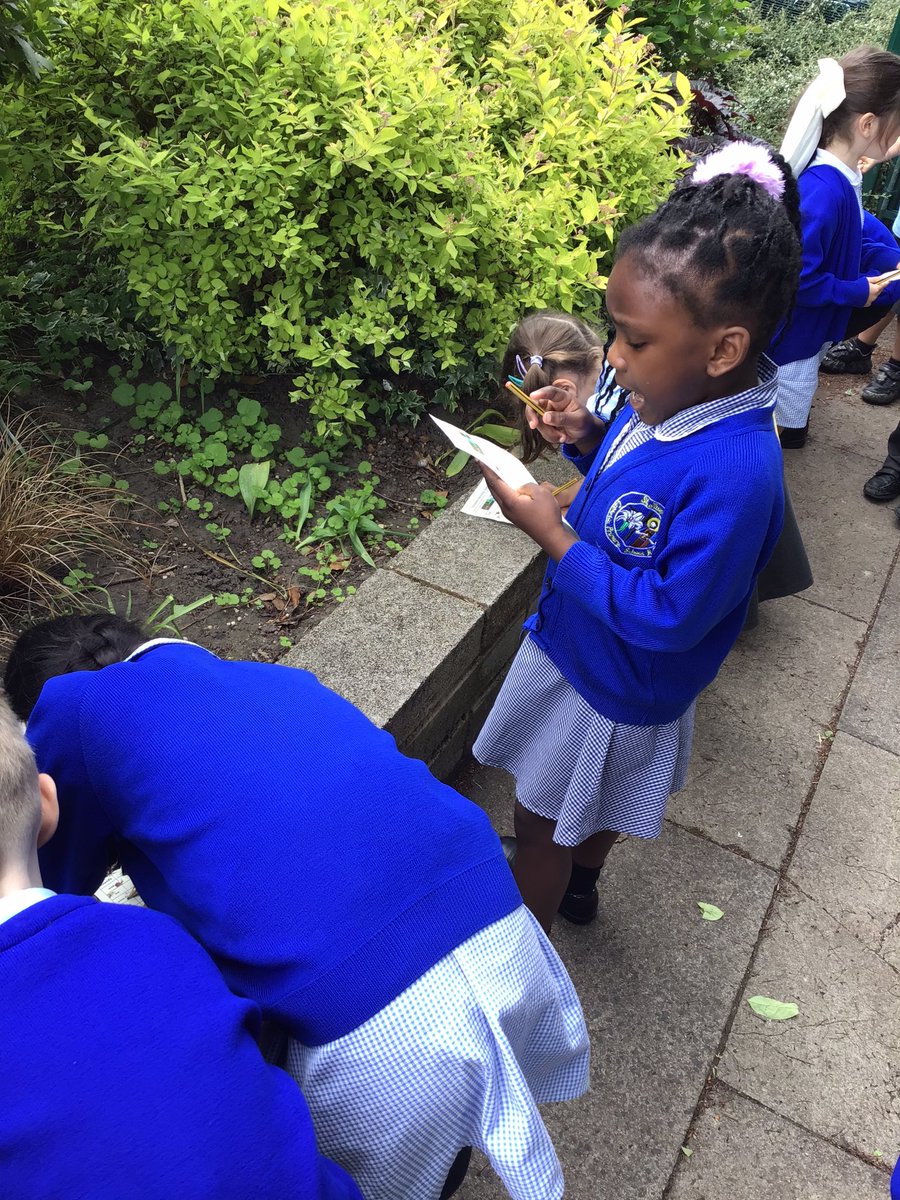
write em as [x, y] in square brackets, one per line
[657, 983]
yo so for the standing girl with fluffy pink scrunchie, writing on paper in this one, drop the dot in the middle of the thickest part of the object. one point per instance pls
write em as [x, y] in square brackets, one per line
[681, 507]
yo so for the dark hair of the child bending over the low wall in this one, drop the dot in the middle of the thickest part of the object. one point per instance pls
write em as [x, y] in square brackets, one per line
[81, 643]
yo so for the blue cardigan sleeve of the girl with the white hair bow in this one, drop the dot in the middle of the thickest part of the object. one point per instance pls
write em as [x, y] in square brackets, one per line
[824, 219]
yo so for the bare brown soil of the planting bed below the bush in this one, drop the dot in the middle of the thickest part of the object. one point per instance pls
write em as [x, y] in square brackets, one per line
[175, 555]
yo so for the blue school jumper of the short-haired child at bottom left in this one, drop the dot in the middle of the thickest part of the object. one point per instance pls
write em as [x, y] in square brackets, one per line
[129, 1070]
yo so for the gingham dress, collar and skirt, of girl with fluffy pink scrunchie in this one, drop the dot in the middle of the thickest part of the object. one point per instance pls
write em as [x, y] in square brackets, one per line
[573, 765]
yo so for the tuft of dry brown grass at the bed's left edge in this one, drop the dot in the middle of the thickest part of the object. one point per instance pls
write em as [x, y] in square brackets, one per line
[49, 519]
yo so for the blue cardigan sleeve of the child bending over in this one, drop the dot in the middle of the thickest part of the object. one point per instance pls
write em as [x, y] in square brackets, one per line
[79, 856]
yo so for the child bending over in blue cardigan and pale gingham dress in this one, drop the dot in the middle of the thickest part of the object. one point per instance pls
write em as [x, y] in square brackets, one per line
[365, 907]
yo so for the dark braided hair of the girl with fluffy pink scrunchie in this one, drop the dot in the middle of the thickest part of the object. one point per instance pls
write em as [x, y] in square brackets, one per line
[727, 250]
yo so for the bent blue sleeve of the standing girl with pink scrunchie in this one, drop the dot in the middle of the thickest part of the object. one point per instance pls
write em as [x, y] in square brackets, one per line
[703, 573]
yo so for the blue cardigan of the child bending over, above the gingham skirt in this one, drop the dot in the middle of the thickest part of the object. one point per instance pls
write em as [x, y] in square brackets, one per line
[322, 869]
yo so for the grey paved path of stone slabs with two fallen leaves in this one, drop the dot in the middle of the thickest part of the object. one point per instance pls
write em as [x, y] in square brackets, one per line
[791, 825]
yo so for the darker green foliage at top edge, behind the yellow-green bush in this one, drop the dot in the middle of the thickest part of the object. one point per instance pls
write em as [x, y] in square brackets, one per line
[695, 37]
